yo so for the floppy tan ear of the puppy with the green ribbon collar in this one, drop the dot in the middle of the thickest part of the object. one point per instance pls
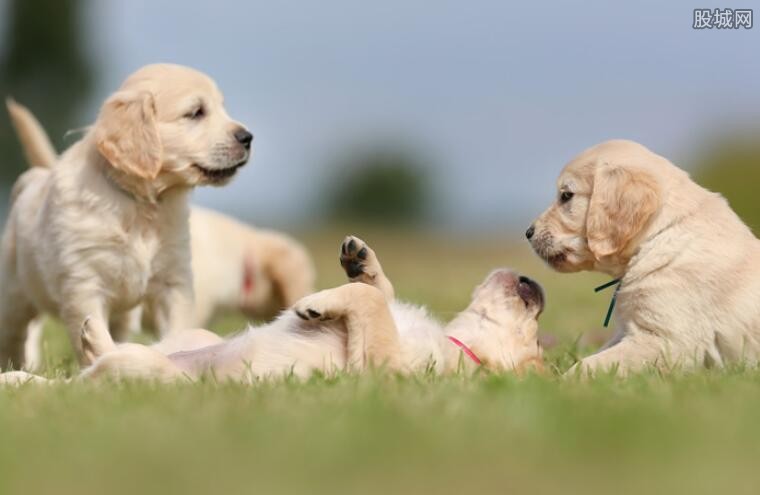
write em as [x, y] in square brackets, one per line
[622, 203]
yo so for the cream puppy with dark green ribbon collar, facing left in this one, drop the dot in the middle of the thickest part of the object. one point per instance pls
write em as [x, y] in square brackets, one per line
[689, 269]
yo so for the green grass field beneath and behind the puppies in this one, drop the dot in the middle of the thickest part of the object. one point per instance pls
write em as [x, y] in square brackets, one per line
[384, 434]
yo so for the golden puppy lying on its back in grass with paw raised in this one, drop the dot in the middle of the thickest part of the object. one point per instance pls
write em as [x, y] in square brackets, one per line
[351, 327]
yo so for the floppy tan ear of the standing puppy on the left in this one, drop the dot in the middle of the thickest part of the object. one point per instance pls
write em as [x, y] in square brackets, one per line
[127, 135]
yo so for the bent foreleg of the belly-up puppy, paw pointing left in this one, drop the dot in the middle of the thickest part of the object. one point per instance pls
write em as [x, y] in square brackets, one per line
[373, 338]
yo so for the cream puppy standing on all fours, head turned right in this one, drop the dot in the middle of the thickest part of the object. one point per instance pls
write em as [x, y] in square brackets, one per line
[106, 228]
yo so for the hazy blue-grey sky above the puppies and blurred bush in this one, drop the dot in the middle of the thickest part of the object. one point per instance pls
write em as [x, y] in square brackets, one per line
[498, 95]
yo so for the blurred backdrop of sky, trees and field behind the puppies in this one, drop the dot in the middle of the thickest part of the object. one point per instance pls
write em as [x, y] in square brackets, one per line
[435, 131]
